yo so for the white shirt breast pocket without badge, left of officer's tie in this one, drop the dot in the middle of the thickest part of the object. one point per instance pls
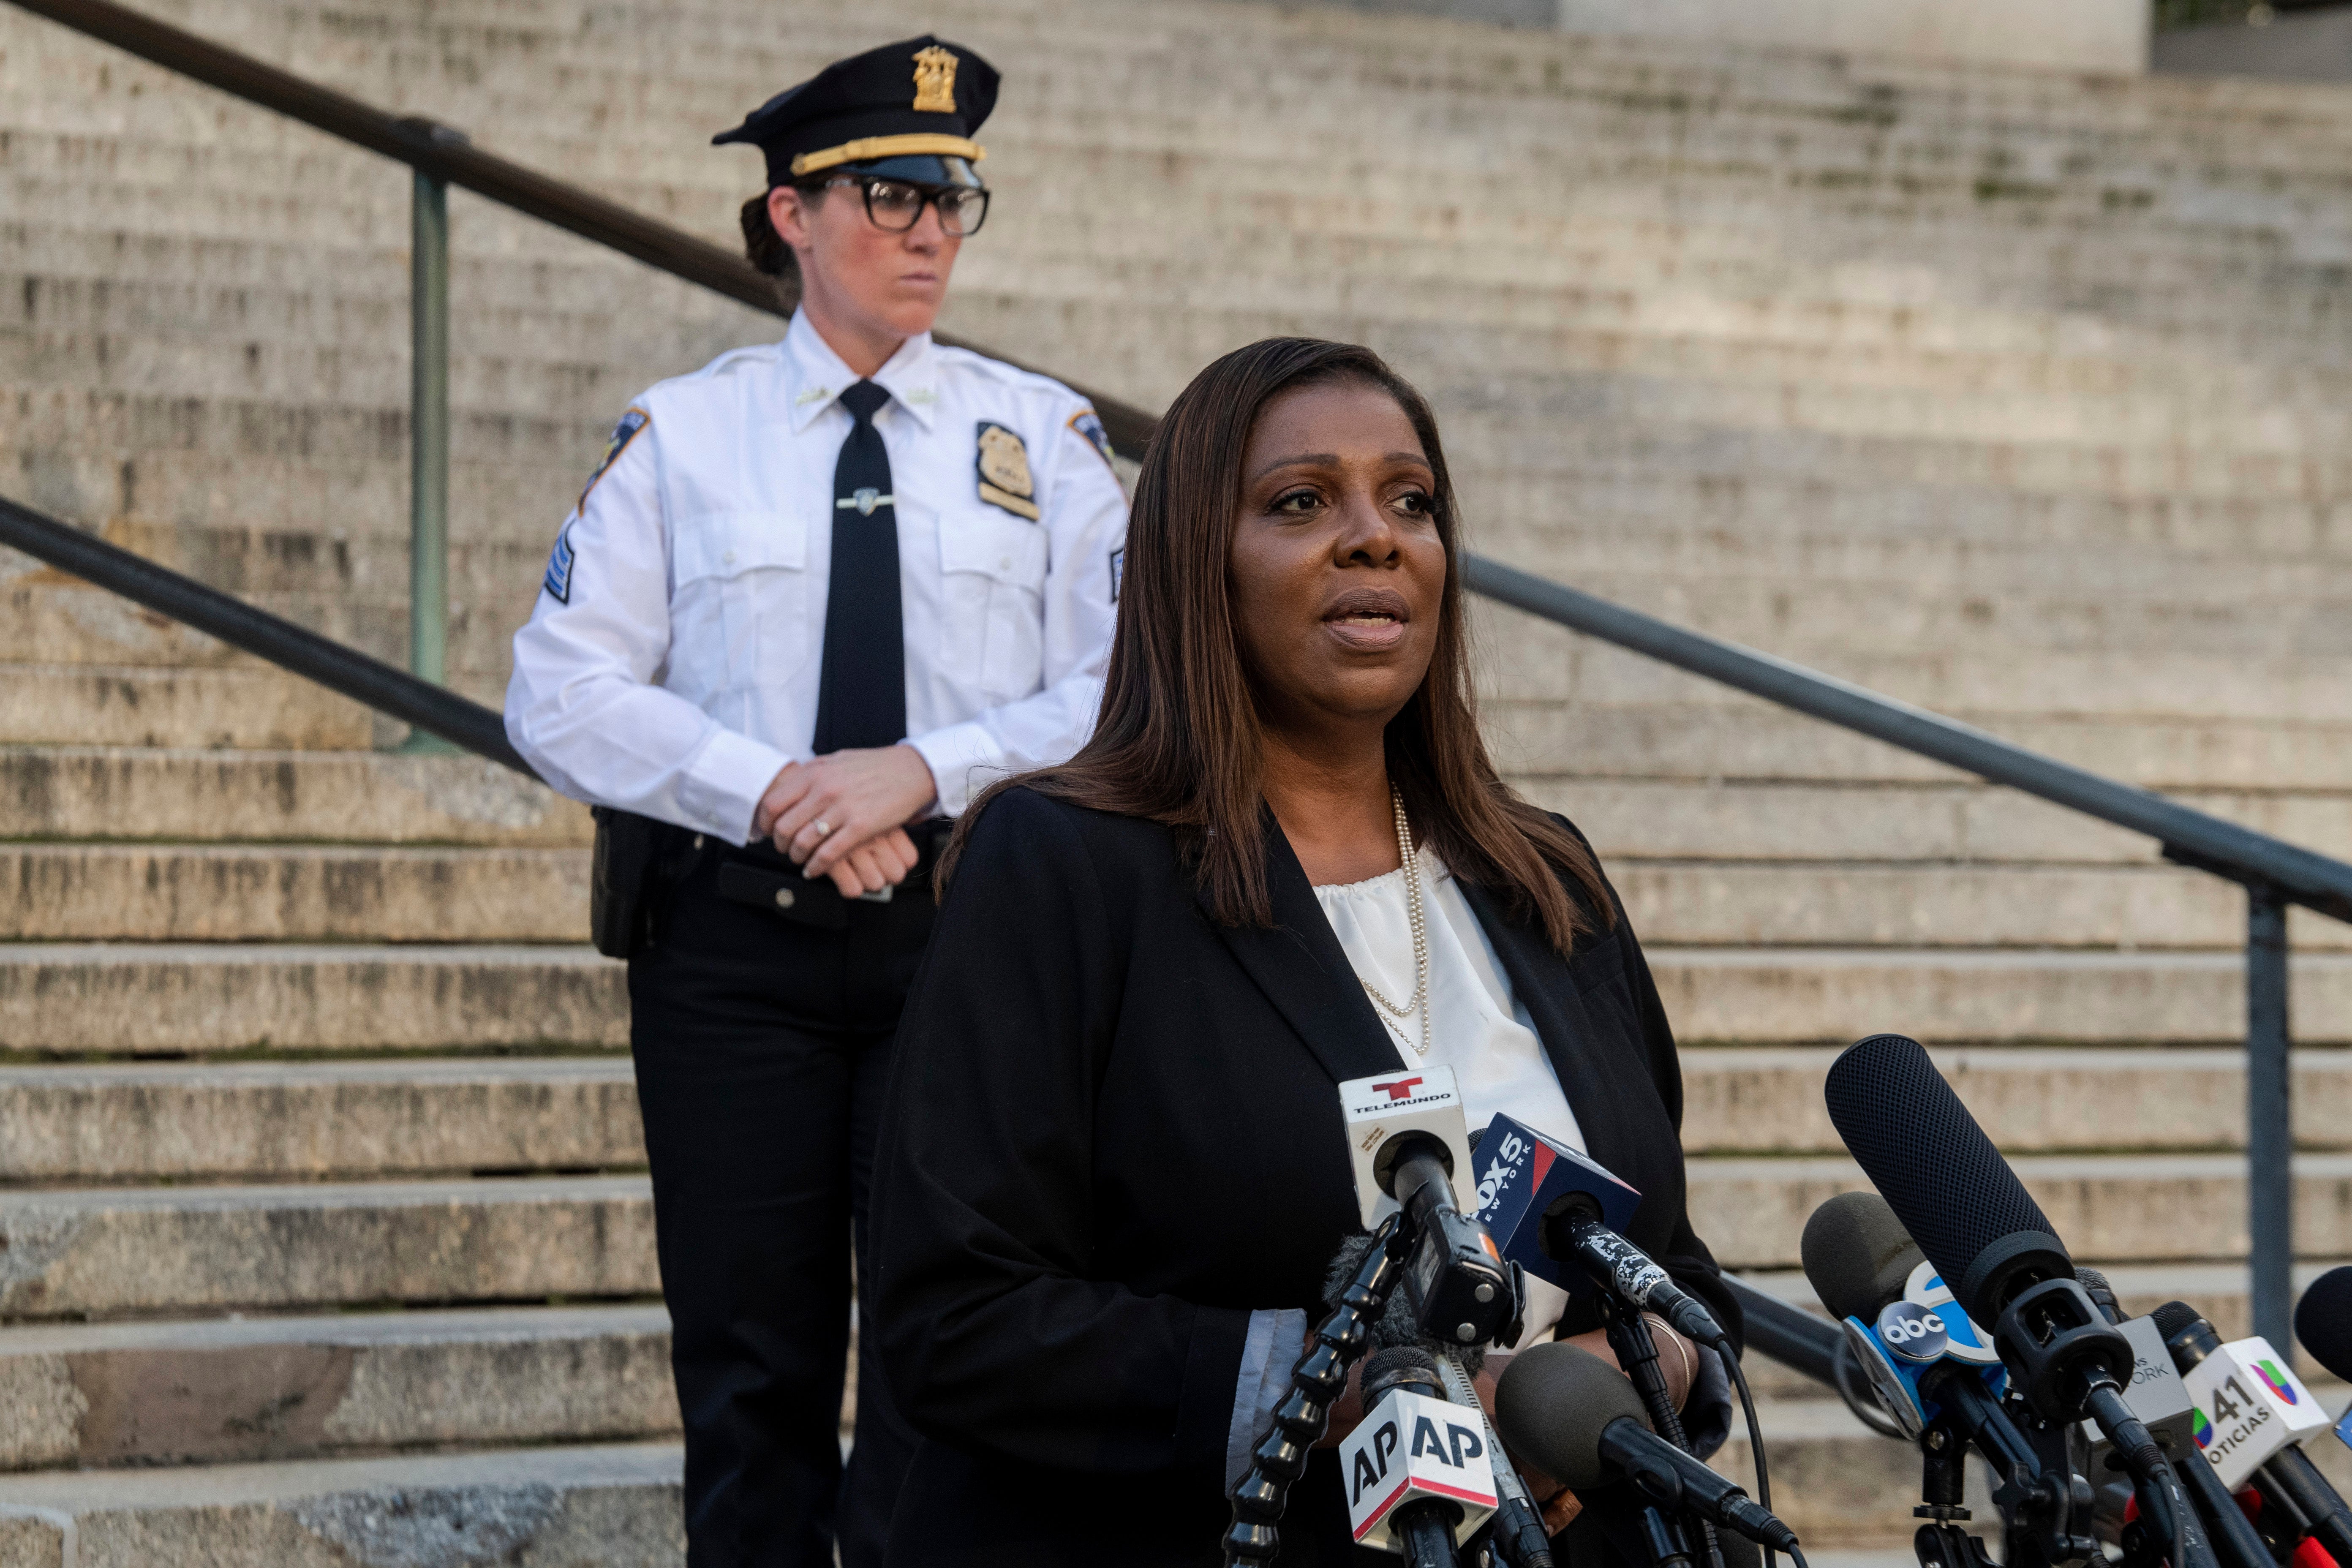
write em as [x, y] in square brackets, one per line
[742, 605]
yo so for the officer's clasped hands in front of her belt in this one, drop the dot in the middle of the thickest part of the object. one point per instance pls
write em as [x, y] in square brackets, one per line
[846, 815]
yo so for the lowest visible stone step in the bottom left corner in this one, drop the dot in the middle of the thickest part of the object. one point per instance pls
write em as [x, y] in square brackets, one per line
[582, 1508]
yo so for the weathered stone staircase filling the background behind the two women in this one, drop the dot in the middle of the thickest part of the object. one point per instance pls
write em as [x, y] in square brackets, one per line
[2010, 394]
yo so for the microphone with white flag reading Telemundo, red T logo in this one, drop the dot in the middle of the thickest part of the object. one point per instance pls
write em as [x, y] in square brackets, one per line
[1408, 1144]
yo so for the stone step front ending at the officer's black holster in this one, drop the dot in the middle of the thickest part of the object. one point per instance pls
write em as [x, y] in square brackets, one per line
[283, 894]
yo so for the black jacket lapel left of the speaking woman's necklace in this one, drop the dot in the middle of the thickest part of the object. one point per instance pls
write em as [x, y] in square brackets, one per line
[1307, 974]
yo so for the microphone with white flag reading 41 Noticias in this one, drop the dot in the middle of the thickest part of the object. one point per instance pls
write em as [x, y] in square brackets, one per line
[2252, 1412]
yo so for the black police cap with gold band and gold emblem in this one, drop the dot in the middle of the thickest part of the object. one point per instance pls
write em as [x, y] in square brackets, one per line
[902, 112]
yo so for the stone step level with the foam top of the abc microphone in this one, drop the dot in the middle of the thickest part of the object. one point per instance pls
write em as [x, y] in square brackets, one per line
[2104, 1207]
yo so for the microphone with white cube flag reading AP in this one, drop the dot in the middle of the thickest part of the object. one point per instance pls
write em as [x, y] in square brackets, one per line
[1419, 1475]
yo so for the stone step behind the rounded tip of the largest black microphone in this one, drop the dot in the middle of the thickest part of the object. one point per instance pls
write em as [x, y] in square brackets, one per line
[2029, 1099]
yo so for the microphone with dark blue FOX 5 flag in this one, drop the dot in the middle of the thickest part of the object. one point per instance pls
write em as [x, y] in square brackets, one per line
[1558, 1217]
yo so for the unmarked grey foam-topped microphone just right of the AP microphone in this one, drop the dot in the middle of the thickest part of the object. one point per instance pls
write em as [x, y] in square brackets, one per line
[1582, 1423]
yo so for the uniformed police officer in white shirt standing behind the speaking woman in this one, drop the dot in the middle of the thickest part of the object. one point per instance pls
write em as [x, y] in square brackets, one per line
[813, 601]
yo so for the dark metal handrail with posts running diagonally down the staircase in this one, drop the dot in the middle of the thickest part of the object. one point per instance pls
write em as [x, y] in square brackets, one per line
[2273, 871]
